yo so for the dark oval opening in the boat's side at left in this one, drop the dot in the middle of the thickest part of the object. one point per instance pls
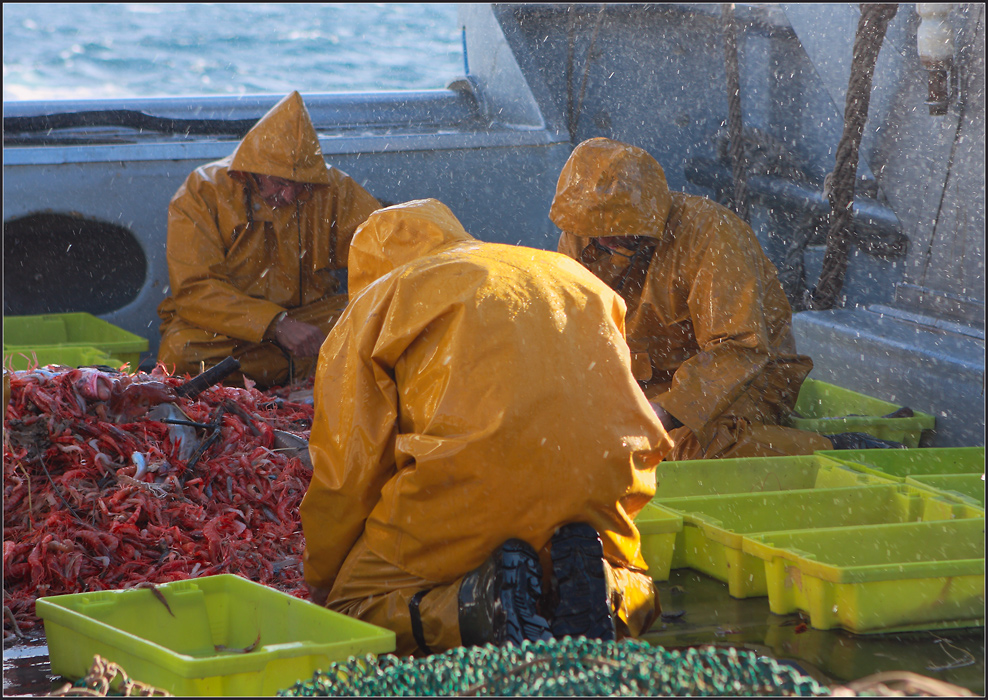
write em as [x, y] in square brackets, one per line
[62, 263]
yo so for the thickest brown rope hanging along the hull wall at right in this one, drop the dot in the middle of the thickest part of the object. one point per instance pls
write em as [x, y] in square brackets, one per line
[867, 42]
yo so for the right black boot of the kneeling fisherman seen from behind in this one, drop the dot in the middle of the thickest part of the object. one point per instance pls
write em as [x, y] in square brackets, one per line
[578, 567]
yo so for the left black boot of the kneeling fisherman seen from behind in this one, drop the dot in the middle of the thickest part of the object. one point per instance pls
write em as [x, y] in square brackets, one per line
[498, 599]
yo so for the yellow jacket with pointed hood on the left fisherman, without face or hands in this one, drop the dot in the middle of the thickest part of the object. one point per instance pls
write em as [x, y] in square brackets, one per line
[234, 262]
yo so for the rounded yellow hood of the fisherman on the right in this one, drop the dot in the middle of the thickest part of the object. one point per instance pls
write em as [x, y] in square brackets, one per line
[609, 188]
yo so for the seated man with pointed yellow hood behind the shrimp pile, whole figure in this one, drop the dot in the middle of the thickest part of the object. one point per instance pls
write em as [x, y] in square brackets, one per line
[255, 242]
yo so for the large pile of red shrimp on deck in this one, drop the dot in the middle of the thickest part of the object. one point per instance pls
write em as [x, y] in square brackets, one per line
[97, 495]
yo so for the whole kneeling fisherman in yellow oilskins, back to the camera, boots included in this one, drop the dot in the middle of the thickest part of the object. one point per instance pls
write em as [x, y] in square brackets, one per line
[458, 467]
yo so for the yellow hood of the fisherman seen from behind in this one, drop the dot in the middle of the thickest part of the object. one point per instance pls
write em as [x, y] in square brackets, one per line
[399, 234]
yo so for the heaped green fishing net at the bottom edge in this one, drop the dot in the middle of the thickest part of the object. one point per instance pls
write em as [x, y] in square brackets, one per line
[566, 667]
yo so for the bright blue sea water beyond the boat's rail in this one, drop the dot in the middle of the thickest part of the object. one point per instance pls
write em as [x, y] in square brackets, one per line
[86, 51]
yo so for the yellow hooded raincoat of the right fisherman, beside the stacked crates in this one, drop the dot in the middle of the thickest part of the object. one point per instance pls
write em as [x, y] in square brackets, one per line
[708, 323]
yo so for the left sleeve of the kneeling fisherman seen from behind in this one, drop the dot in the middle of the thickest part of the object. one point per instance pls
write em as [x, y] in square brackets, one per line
[352, 440]
